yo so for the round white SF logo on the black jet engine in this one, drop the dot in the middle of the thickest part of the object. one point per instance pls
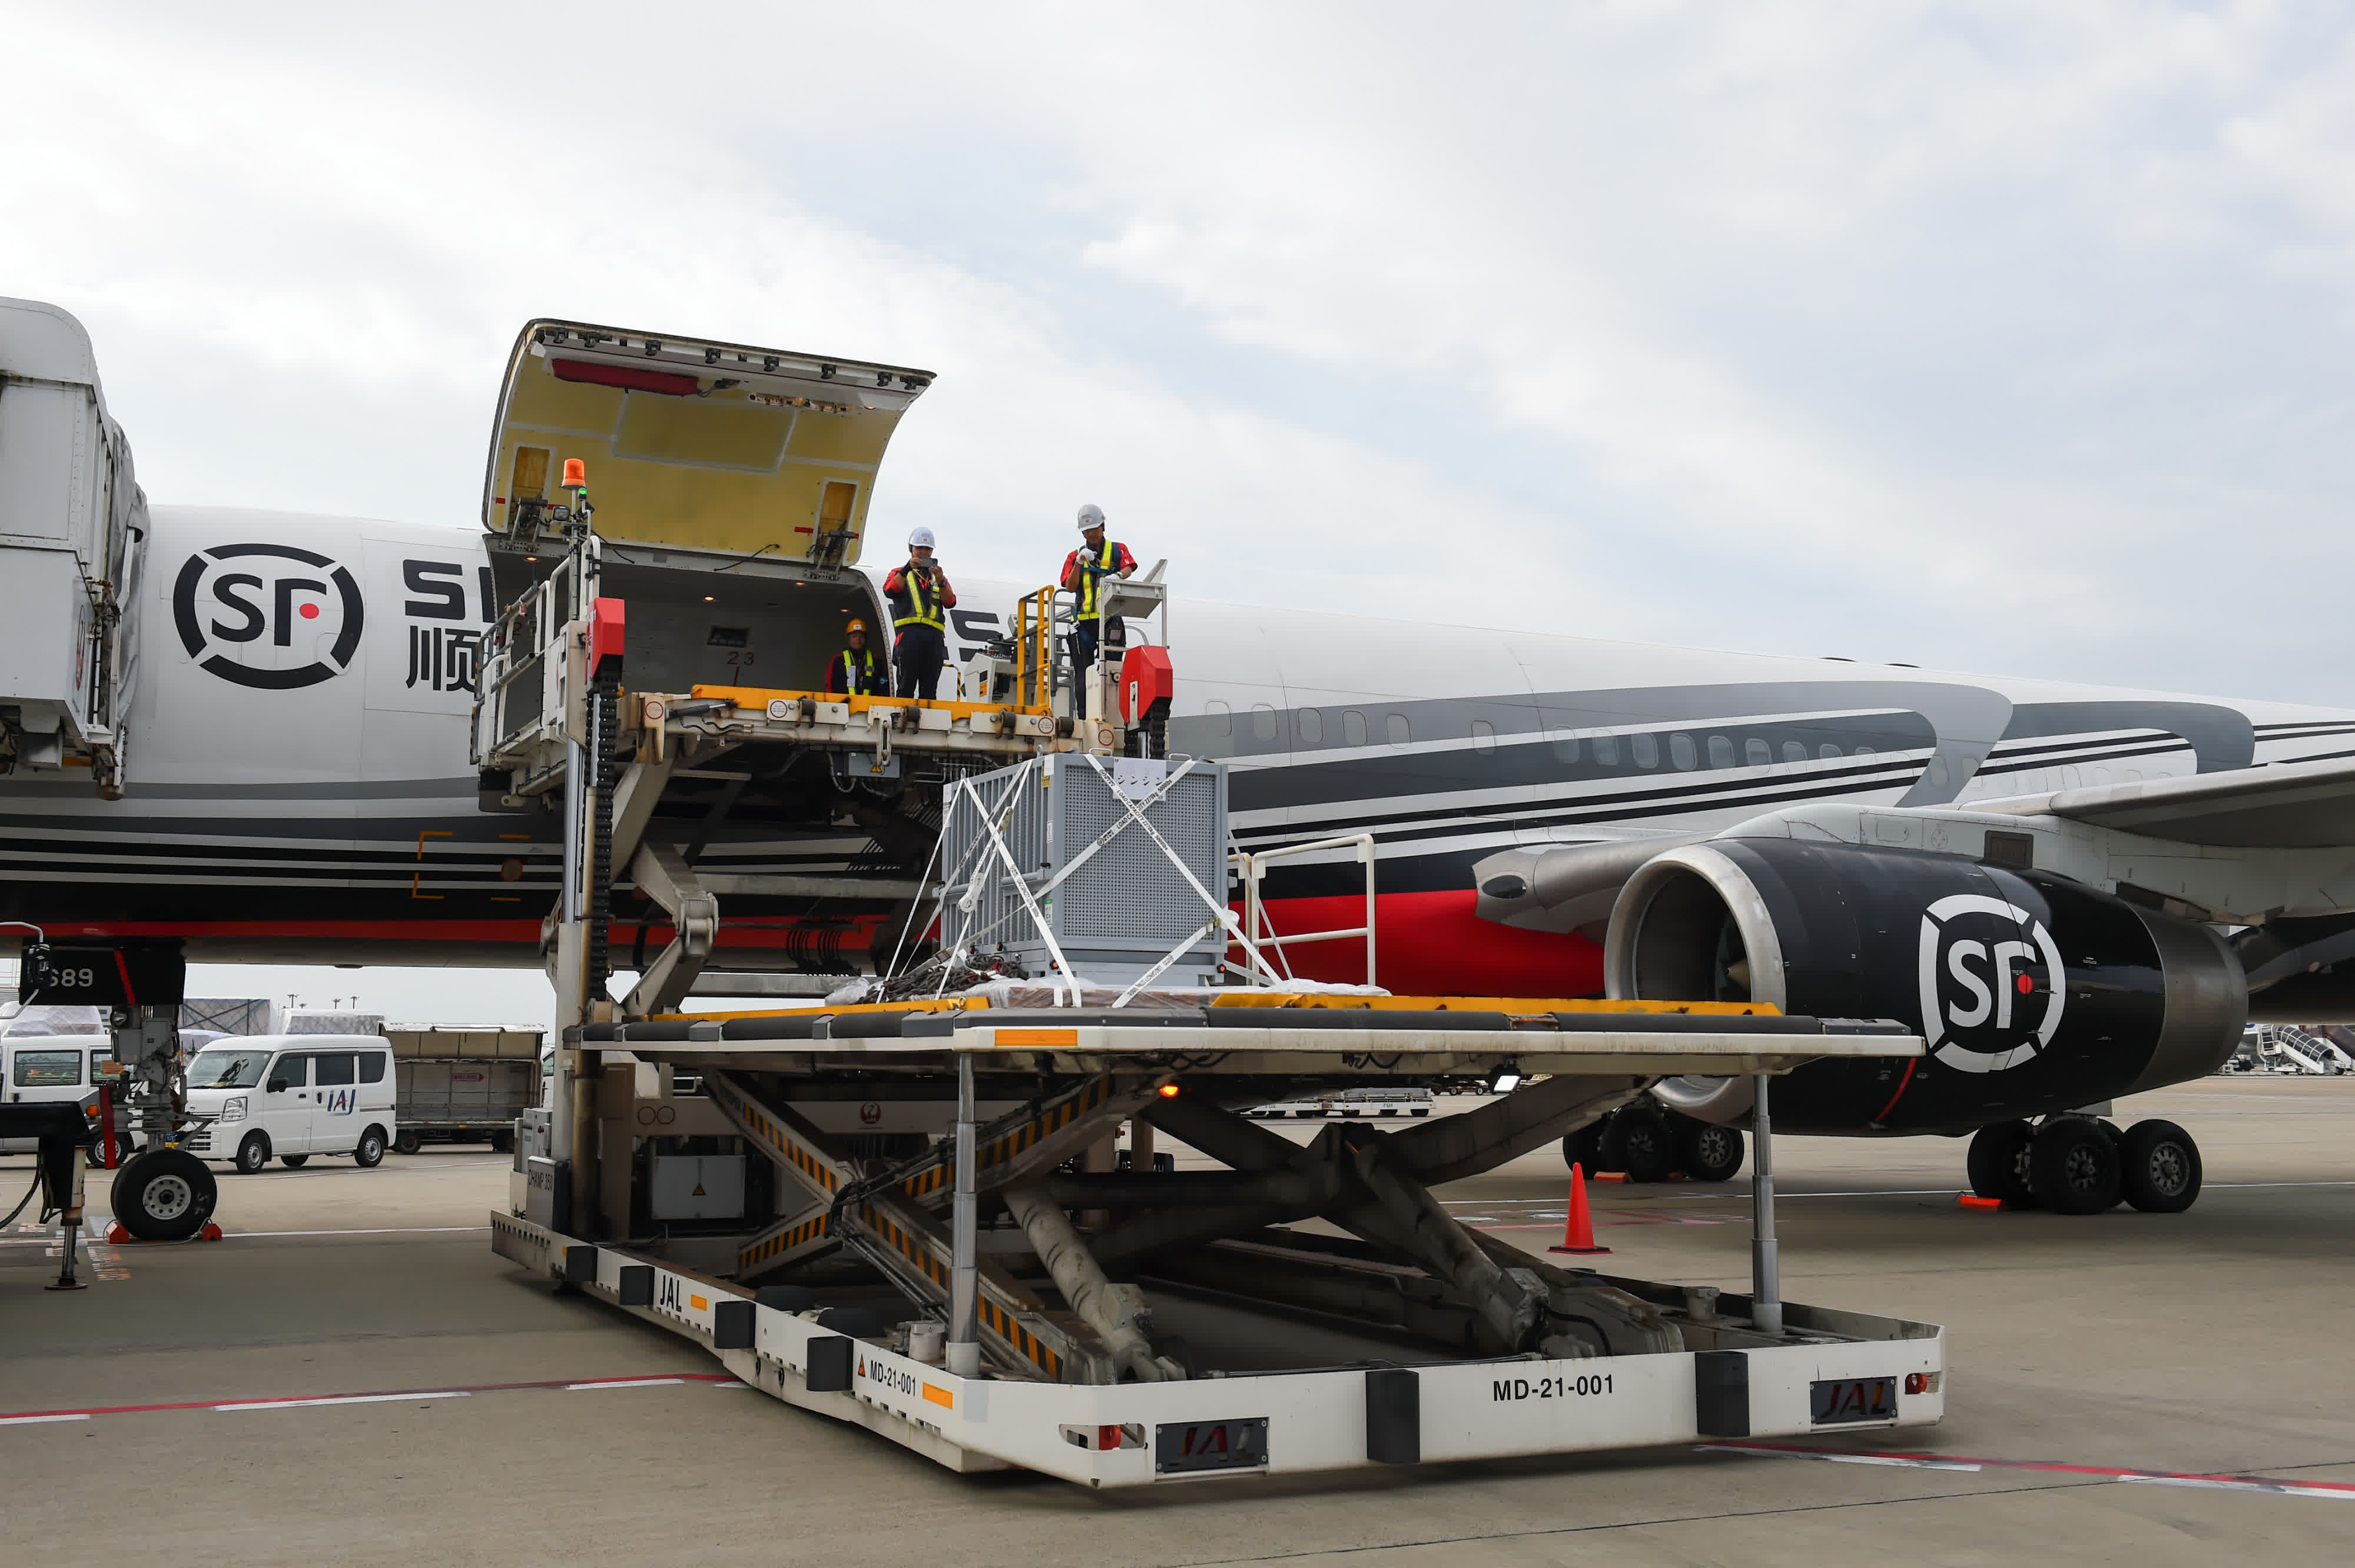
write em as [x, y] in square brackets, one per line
[1991, 983]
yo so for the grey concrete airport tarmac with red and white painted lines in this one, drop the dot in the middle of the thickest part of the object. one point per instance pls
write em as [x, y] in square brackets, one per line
[2180, 1346]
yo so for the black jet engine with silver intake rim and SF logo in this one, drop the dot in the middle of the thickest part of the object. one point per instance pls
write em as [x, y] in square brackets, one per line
[2034, 992]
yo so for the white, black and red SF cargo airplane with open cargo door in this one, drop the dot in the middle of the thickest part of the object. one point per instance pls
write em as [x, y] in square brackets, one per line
[2071, 891]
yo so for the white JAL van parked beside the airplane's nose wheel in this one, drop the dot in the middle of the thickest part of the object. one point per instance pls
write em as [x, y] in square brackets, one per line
[293, 1096]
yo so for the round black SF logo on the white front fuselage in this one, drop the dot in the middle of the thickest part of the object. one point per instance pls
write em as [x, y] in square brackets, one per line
[267, 616]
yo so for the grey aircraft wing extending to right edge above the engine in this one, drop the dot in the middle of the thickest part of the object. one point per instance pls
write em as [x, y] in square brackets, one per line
[2286, 806]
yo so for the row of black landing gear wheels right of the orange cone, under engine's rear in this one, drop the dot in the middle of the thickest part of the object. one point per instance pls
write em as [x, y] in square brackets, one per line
[2085, 1167]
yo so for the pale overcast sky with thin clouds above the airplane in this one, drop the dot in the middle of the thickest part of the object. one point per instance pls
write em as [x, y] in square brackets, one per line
[2005, 338]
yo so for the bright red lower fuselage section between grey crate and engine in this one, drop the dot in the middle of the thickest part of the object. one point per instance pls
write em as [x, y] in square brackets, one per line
[1435, 945]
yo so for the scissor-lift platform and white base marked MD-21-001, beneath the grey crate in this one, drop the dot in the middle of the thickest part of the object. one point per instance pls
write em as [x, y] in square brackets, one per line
[983, 1296]
